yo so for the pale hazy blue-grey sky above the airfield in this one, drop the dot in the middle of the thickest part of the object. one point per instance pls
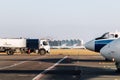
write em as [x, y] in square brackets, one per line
[58, 19]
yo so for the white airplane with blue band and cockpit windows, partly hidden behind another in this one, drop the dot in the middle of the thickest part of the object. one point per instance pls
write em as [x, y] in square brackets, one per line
[97, 43]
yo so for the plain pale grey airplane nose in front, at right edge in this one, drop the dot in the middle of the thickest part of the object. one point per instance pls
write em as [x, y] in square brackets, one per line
[111, 51]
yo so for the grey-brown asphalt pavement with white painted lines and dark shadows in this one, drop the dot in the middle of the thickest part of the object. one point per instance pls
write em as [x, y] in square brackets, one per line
[56, 67]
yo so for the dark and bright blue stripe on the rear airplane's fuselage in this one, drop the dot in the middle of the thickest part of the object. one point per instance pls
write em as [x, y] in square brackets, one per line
[101, 43]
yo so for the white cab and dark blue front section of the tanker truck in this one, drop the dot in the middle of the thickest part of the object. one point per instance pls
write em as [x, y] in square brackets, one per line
[38, 46]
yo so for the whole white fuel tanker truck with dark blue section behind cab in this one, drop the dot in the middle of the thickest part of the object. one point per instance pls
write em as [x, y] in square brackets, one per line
[12, 45]
